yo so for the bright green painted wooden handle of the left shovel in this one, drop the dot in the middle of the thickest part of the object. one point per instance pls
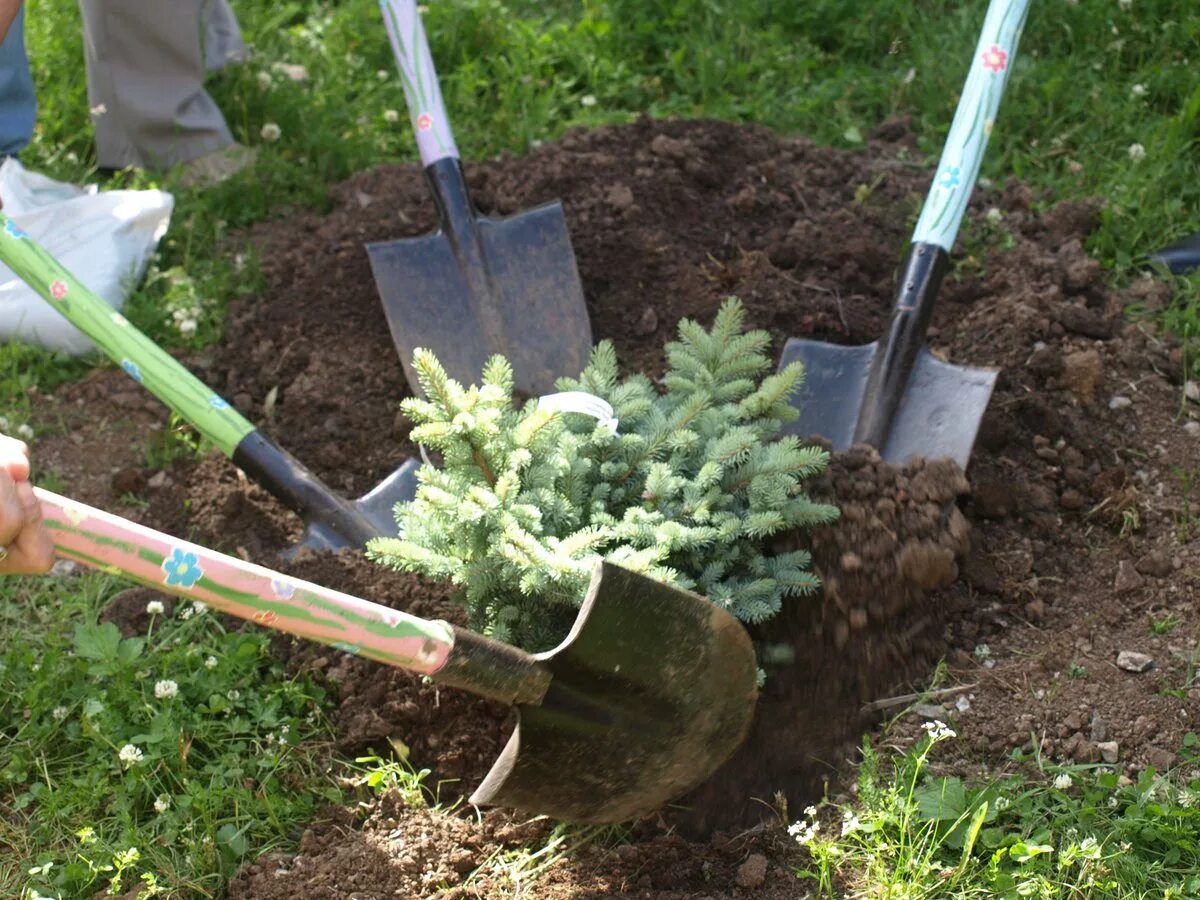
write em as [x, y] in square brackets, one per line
[145, 362]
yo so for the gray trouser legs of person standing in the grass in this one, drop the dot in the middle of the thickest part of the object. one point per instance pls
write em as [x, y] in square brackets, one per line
[146, 79]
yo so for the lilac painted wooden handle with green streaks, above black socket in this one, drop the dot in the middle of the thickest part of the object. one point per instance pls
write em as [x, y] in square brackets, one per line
[431, 125]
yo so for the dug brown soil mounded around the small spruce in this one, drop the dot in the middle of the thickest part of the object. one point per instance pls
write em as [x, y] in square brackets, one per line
[1083, 529]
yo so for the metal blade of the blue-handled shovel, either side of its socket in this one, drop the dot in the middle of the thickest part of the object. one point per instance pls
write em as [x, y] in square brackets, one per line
[939, 413]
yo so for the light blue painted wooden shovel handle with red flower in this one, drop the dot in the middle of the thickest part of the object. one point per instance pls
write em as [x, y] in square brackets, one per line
[963, 154]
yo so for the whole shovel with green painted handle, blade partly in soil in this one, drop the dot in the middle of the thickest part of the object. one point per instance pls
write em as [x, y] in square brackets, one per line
[331, 521]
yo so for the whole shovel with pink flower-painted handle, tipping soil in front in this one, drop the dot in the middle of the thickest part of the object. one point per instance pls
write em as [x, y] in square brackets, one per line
[651, 692]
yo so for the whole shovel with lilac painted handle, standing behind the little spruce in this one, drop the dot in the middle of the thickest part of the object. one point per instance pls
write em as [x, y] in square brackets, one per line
[477, 286]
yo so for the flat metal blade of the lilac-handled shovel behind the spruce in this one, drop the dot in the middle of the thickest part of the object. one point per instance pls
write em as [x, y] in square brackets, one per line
[519, 297]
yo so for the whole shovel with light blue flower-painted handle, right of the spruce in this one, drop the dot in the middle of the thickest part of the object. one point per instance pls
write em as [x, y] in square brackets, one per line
[895, 394]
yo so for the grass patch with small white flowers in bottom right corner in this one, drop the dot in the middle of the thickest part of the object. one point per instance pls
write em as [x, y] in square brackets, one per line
[1045, 832]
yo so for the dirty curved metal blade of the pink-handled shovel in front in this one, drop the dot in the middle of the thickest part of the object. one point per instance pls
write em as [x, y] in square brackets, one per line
[652, 691]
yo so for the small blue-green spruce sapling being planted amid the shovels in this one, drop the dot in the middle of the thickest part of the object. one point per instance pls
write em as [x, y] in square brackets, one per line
[688, 485]
